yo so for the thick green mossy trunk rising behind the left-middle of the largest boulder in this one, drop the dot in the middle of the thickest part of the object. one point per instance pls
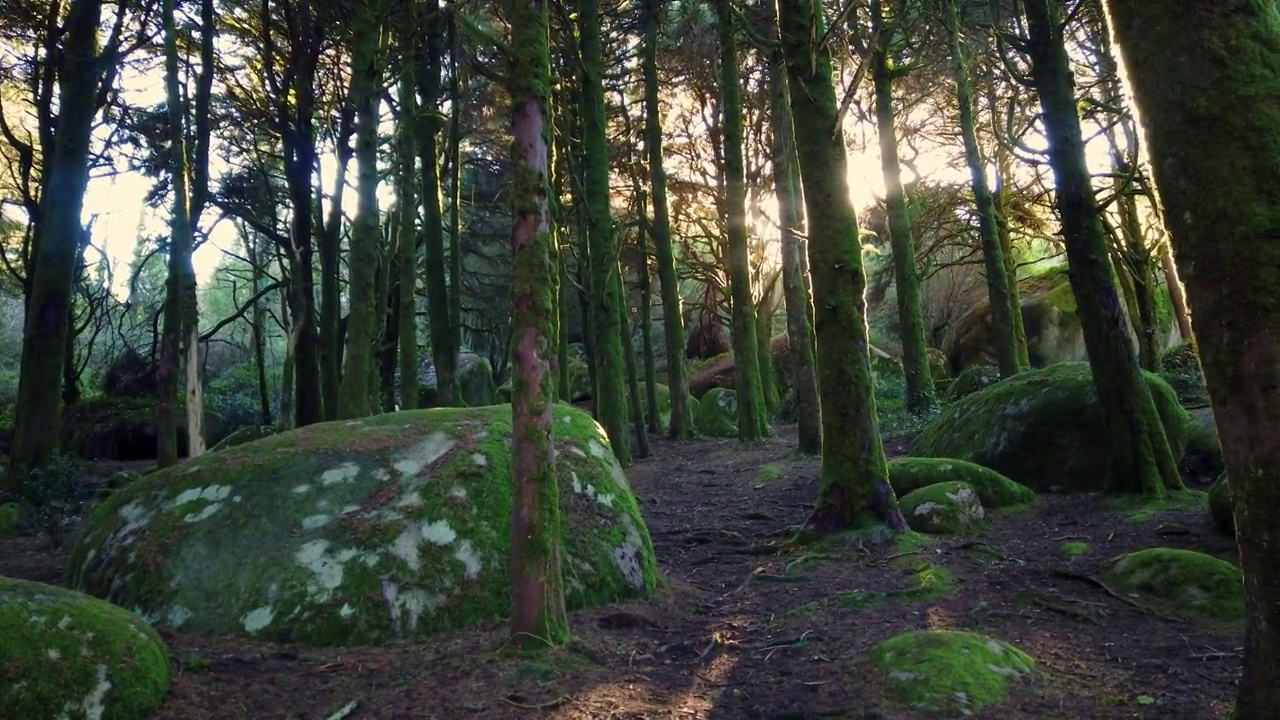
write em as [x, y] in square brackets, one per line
[365, 312]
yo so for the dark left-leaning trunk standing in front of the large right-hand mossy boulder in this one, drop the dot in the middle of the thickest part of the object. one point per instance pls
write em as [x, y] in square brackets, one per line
[1139, 446]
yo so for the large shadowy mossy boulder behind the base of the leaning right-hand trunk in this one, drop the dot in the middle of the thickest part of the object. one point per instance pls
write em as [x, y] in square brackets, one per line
[1043, 429]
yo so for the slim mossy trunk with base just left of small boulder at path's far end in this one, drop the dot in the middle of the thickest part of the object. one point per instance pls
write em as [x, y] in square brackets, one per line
[660, 230]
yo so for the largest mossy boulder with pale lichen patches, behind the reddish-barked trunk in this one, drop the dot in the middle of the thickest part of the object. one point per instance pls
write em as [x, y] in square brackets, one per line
[359, 532]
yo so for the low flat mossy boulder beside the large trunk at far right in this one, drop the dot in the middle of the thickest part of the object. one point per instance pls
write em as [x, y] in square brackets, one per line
[1181, 582]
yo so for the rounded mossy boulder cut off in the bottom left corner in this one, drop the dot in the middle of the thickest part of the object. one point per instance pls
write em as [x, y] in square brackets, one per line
[67, 655]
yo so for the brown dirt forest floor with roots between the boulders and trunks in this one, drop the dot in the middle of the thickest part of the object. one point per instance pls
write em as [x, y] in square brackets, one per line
[748, 628]
